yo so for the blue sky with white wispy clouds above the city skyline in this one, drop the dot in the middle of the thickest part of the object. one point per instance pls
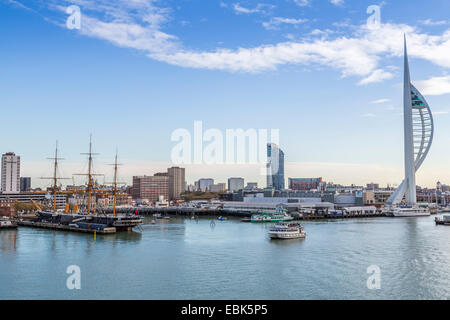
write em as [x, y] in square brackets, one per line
[326, 73]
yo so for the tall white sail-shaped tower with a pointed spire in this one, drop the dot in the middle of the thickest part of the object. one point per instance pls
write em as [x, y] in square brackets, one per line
[418, 137]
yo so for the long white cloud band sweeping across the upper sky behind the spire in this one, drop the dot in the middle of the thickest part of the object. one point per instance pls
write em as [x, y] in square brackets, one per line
[139, 24]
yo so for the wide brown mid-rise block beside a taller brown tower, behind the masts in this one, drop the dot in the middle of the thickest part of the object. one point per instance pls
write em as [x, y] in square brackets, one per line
[151, 187]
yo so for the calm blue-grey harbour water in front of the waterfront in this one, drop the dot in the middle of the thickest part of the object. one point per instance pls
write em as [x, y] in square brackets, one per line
[187, 259]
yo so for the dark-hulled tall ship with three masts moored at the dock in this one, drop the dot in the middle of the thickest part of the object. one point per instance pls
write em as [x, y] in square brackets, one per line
[87, 219]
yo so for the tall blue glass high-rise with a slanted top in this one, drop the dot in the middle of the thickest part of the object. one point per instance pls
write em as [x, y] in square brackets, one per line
[275, 167]
